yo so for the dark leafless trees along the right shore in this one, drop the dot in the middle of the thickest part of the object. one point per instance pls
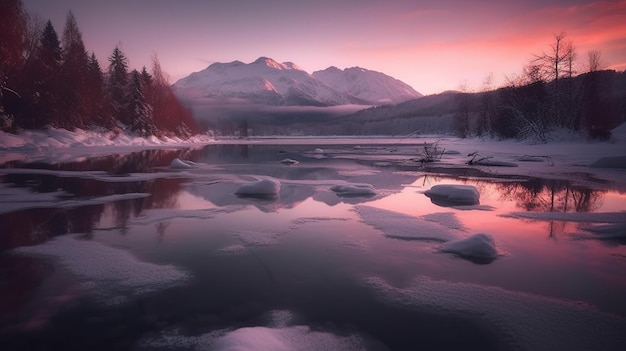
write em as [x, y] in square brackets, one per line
[551, 92]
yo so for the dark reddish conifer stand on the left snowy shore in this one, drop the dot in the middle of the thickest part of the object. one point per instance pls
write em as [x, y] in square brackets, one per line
[47, 81]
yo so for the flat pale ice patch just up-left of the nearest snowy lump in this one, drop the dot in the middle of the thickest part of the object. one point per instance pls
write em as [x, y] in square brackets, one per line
[401, 226]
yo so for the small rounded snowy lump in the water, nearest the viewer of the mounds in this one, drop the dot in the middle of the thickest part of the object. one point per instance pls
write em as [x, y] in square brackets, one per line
[478, 248]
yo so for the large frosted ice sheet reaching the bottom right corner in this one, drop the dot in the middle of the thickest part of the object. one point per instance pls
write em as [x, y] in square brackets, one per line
[527, 322]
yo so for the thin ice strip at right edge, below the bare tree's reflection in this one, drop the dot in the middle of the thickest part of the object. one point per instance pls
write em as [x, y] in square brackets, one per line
[589, 217]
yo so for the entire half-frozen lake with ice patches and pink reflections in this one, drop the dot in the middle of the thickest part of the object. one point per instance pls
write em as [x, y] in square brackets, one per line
[309, 244]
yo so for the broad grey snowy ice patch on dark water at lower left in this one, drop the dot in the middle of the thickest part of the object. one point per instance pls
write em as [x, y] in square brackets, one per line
[105, 271]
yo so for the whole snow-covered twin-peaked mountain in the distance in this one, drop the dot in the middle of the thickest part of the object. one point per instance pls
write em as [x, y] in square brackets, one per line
[268, 82]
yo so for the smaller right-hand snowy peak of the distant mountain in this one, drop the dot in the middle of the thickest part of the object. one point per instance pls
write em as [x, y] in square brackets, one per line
[376, 87]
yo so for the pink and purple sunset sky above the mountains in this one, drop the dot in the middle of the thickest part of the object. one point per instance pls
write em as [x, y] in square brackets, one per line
[431, 45]
